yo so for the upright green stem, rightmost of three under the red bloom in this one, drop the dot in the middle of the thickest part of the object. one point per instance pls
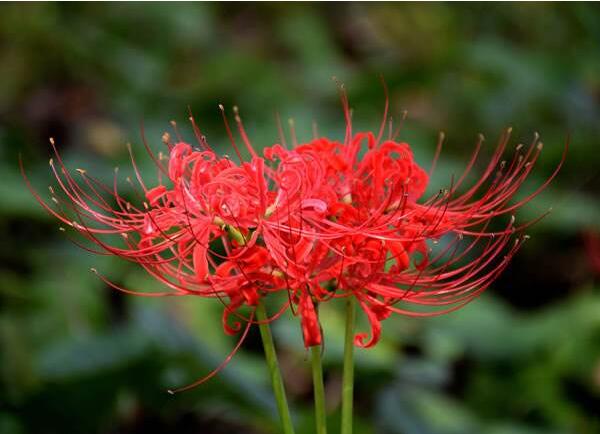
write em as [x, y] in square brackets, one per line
[348, 375]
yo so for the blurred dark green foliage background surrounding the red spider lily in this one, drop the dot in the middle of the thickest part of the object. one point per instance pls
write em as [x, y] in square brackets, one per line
[76, 357]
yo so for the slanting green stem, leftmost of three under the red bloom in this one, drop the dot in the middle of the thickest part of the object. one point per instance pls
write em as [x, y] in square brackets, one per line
[273, 365]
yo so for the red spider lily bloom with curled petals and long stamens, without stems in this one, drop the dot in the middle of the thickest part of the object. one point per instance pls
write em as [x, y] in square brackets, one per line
[325, 219]
